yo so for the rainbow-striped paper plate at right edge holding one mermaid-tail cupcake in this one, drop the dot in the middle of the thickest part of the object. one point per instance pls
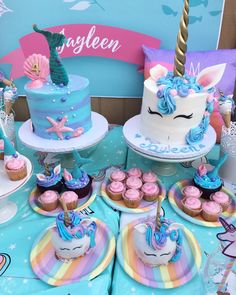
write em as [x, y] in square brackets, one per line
[175, 196]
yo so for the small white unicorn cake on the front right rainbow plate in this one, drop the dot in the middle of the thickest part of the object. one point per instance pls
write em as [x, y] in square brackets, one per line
[158, 241]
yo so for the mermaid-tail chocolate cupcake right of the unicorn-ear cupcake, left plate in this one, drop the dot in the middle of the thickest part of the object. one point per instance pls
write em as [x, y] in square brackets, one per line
[78, 180]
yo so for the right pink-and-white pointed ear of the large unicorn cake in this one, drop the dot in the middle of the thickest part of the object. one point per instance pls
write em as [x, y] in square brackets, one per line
[210, 76]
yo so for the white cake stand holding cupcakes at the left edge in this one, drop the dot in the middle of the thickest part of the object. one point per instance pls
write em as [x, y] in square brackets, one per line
[8, 209]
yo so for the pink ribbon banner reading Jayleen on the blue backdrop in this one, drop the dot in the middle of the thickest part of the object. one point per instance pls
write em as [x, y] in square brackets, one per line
[84, 40]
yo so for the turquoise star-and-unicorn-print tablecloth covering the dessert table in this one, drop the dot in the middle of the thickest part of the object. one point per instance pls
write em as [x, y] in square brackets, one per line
[18, 234]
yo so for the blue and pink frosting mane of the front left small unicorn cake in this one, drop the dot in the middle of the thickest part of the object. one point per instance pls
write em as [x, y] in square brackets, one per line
[76, 229]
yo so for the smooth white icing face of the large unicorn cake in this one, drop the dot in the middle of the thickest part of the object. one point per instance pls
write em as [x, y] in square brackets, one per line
[166, 129]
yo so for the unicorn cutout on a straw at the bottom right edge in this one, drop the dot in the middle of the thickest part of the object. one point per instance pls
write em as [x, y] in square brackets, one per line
[229, 235]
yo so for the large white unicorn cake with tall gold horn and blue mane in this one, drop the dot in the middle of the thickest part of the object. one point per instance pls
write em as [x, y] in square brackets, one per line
[176, 107]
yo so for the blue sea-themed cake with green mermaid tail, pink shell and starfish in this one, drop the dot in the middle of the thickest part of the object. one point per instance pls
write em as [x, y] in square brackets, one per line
[59, 104]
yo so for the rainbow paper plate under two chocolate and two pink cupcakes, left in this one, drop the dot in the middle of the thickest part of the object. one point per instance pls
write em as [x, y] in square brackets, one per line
[82, 203]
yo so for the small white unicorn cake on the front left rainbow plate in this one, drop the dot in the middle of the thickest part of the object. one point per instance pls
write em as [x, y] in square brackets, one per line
[73, 236]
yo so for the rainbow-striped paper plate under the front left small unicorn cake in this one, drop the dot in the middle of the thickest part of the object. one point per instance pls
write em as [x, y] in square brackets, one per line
[54, 272]
